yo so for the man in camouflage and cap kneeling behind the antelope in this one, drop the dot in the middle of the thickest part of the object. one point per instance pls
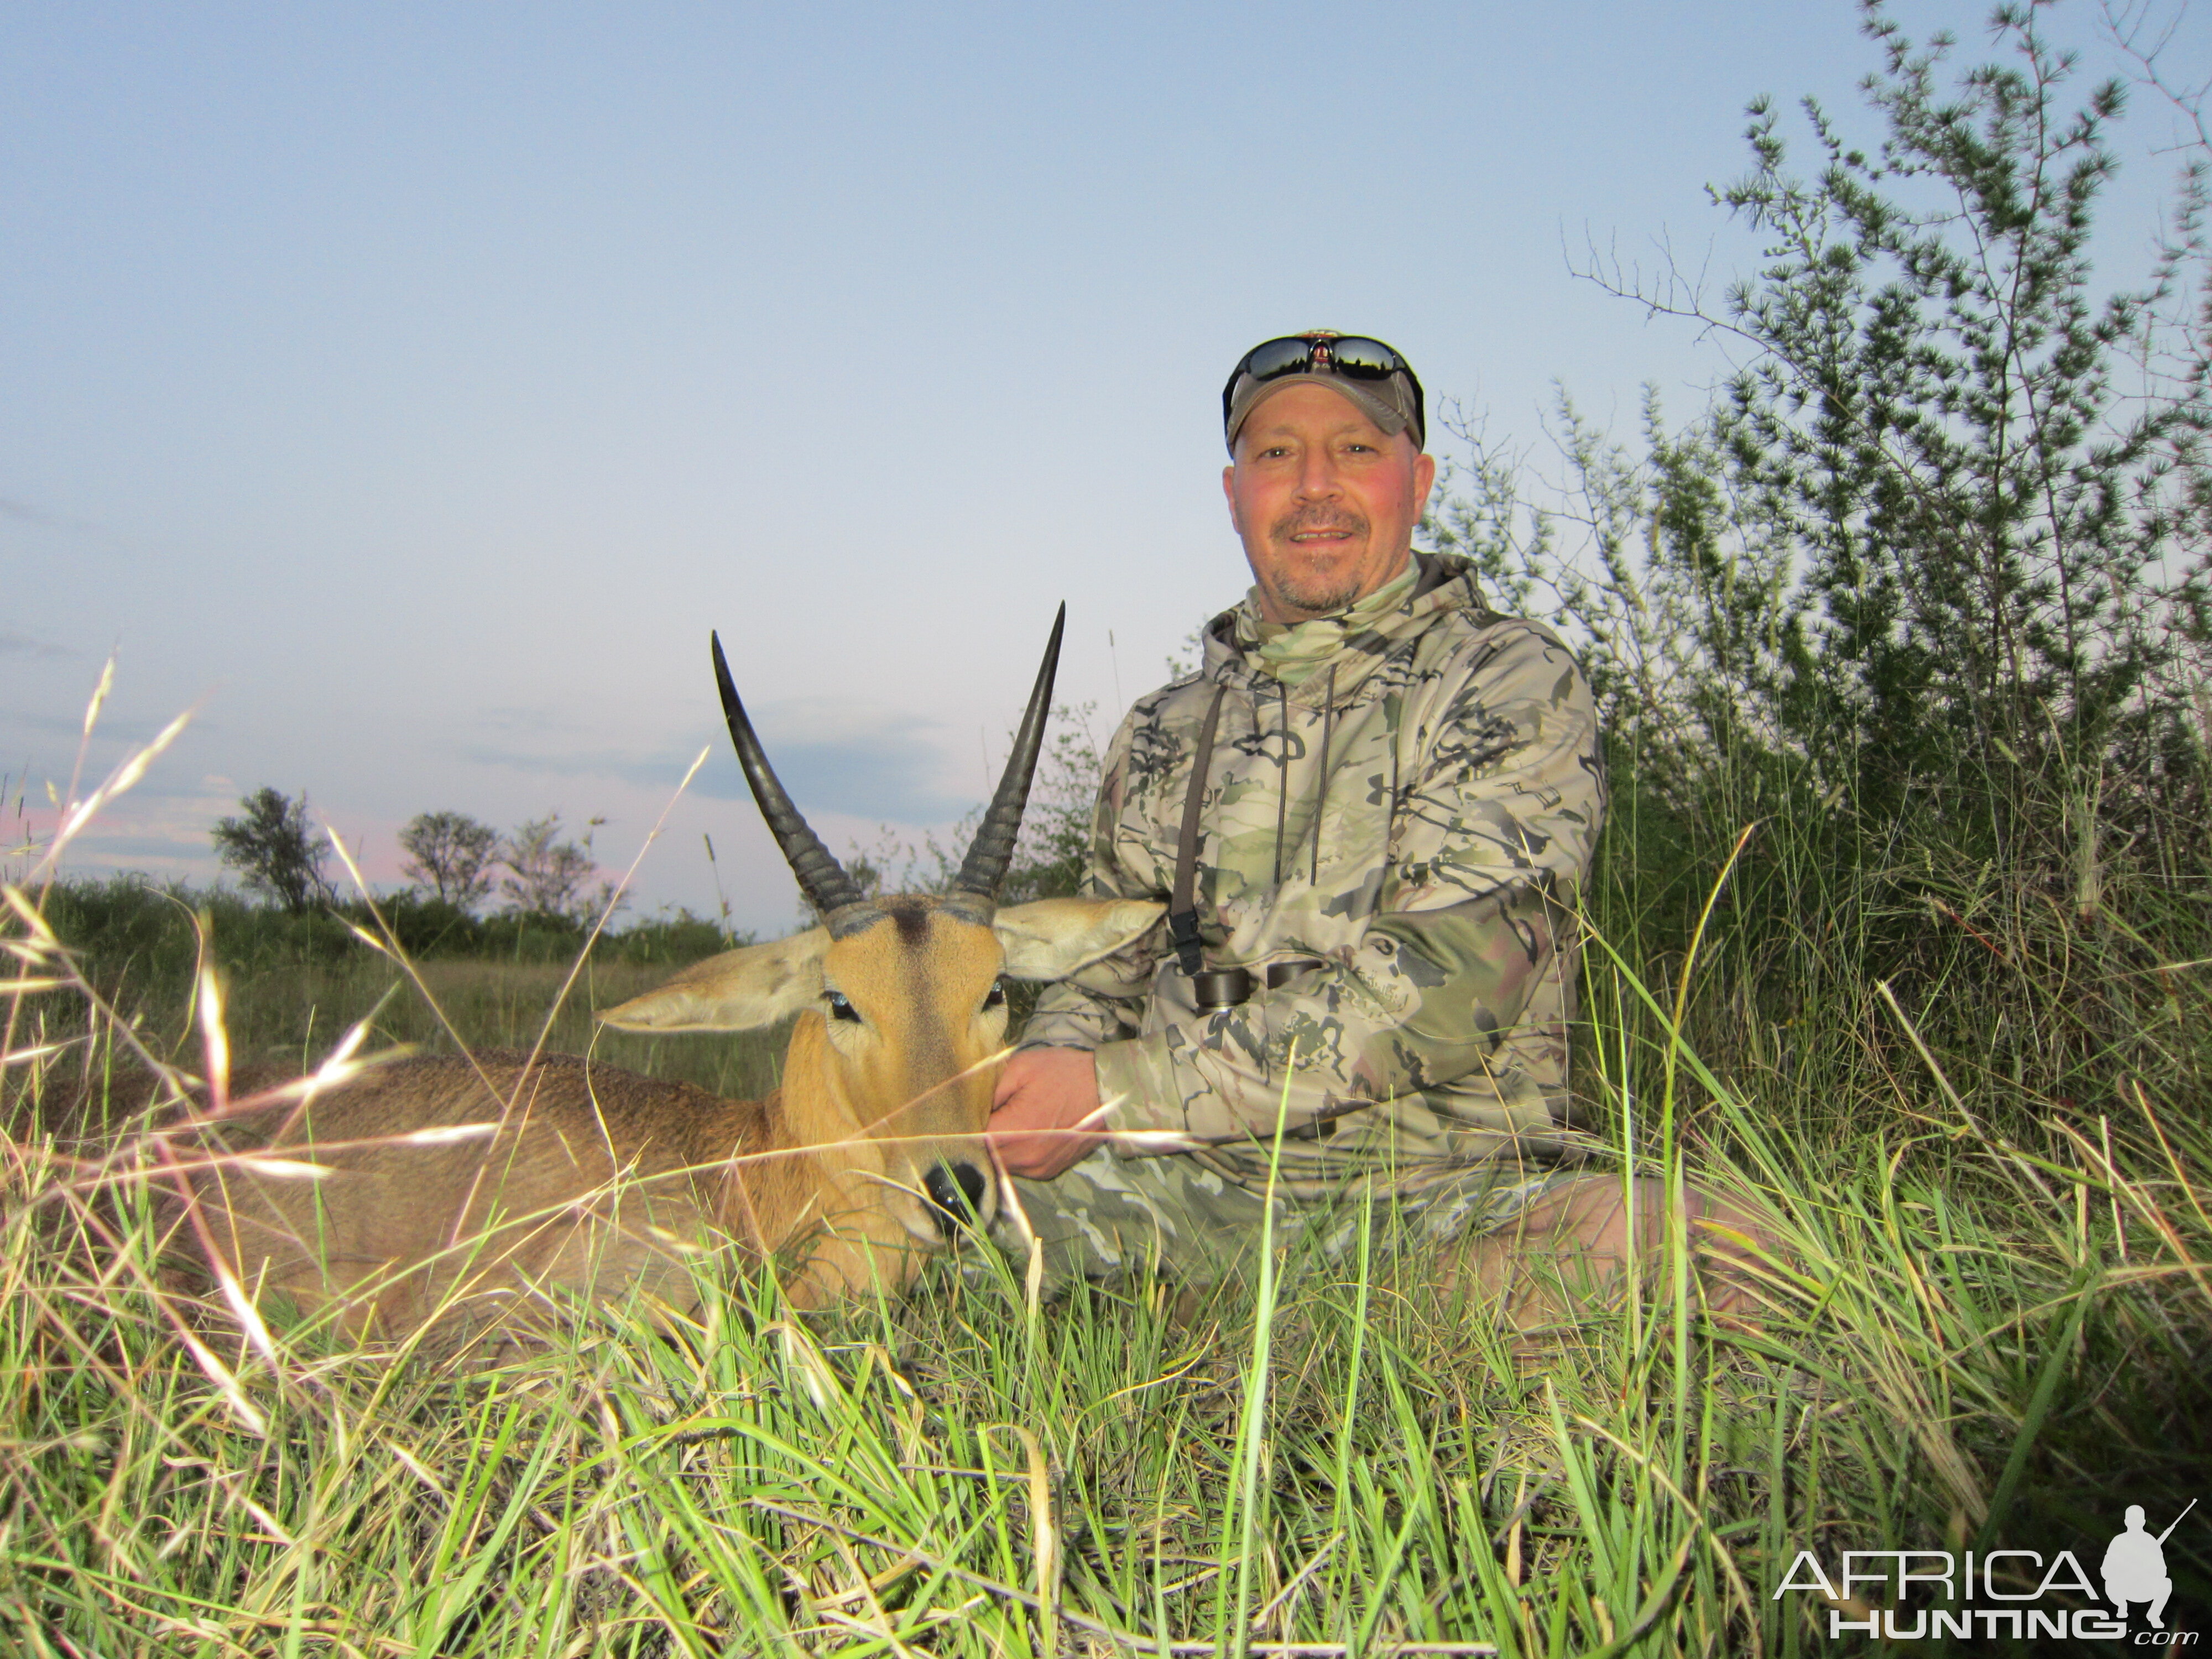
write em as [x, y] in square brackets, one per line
[1370, 815]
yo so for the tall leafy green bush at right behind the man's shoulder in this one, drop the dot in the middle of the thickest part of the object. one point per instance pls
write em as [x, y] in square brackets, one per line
[1923, 601]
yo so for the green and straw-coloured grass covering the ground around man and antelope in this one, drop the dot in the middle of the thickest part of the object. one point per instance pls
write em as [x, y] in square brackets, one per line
[1994, 1337]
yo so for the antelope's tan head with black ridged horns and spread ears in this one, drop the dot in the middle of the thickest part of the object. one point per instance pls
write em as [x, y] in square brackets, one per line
[901, 1001]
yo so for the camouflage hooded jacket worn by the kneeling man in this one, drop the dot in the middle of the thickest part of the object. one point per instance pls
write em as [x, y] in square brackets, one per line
[1410, 824]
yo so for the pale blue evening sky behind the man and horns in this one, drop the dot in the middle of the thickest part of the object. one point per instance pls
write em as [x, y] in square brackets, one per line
[413, 388]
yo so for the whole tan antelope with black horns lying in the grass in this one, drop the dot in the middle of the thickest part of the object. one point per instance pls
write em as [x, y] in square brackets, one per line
[585, 1180]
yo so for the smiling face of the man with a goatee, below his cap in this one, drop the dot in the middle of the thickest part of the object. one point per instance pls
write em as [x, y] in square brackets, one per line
[1324, 499]
